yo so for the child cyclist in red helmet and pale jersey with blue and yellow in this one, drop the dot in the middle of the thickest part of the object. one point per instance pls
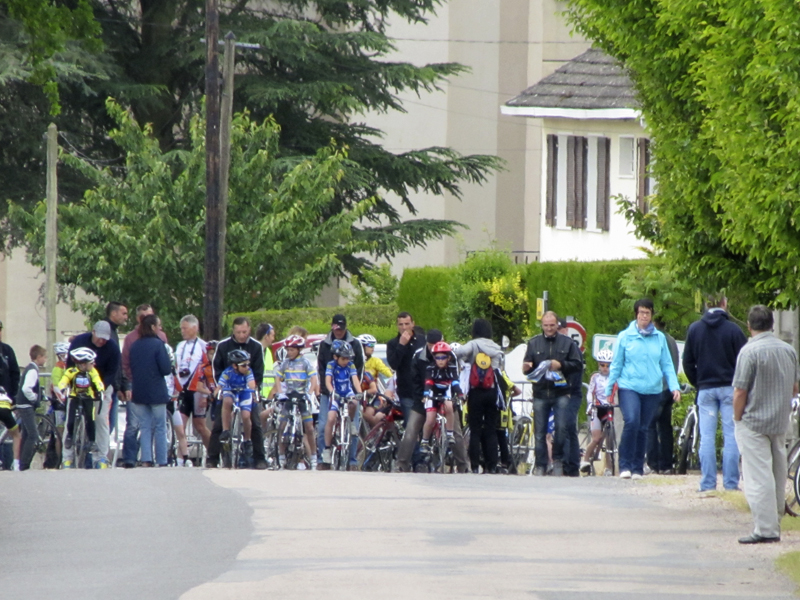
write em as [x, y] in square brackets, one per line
[295, 375]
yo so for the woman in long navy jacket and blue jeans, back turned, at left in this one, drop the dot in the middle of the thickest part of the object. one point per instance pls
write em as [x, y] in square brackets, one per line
[149, 365]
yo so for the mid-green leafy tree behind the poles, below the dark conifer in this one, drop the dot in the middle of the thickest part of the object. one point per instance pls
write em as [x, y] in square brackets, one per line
[138, 235]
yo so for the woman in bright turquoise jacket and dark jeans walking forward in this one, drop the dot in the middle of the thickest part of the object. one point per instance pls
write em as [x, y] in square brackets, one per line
[641, 363]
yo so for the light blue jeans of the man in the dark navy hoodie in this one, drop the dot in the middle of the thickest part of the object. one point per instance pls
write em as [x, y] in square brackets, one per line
[710, 402]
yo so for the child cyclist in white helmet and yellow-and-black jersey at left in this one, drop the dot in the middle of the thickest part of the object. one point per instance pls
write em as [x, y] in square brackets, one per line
[83, 386]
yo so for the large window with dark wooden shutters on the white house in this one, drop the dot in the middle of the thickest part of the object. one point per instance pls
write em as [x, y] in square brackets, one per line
[577, 183]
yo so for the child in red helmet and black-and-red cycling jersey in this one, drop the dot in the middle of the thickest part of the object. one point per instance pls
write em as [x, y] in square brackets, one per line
[441, 383]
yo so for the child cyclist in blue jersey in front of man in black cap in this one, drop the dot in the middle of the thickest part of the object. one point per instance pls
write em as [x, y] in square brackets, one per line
[341, 381]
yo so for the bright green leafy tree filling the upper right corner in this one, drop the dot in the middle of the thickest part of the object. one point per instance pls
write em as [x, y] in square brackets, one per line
[718, 84]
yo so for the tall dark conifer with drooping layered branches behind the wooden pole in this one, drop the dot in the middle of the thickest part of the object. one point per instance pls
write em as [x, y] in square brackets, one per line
[318, 66]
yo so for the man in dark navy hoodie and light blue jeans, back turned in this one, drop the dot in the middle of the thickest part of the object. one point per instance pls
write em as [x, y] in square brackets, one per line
[709, 361]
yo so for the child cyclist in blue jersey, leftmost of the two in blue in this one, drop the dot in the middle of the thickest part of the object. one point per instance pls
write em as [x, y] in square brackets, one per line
[237, 384]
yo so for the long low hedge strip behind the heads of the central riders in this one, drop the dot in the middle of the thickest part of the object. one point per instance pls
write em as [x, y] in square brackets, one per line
[379, 320]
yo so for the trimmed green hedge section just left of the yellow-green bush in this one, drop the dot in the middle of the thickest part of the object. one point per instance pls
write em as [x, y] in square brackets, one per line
[424, 293]
